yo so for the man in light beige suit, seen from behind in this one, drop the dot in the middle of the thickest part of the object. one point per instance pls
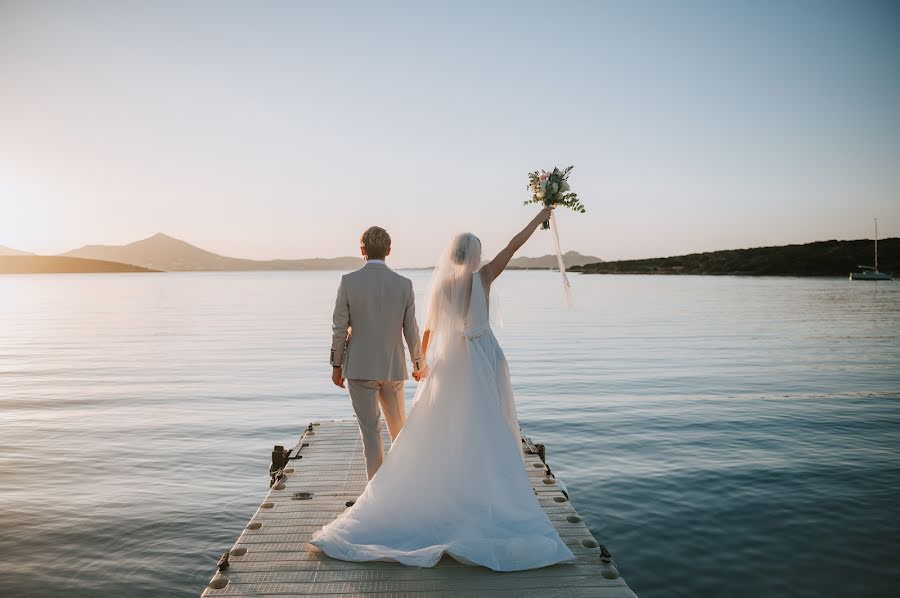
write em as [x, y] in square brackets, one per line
[374, 305]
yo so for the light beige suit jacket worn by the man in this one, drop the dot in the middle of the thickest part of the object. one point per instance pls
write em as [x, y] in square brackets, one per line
[375, 308]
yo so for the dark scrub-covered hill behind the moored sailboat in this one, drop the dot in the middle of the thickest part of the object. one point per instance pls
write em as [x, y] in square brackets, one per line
[822, 258]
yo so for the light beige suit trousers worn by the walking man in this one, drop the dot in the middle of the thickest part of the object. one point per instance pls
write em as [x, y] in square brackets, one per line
[370, 398]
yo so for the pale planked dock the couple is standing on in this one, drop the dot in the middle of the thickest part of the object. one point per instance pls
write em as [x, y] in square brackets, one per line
[311, 484]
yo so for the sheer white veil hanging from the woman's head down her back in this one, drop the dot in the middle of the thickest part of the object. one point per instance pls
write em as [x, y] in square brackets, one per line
[450, 293]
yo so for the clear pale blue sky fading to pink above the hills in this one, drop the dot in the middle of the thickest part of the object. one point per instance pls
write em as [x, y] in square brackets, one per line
[283, 129]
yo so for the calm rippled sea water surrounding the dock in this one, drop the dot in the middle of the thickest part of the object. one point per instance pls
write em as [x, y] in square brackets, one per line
[722, 436]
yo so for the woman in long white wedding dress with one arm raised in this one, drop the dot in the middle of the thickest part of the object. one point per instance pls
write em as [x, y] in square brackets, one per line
[454, 482]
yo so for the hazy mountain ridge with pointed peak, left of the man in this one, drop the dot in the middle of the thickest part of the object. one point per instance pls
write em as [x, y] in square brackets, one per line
[162, 252]
